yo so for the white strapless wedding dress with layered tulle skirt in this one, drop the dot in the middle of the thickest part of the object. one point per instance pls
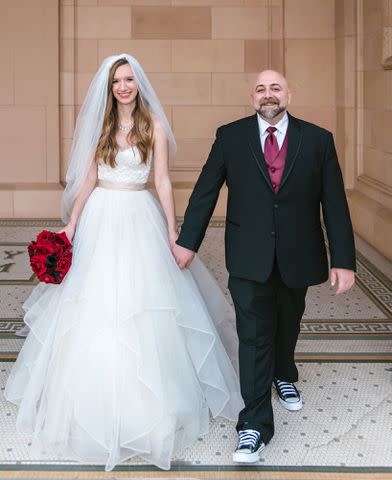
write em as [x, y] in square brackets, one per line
[123, 358]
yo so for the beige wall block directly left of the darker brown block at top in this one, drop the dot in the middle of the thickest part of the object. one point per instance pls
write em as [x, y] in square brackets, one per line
[103, 22]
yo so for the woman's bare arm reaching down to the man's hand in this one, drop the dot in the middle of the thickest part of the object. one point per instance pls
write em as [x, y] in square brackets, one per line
[162, 180]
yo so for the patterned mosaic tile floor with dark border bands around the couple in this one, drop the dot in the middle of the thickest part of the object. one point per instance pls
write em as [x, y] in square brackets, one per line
[344, 352]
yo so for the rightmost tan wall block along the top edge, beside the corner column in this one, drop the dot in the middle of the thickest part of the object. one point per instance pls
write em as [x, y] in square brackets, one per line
[309, 19]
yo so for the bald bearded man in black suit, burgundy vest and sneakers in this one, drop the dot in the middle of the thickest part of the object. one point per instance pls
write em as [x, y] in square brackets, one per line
[278, 170]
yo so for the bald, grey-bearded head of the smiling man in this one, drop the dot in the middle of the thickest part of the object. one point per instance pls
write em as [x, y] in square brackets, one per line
[271, 96]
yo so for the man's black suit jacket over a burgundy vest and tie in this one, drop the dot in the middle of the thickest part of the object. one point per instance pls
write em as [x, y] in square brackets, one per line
[262, 225]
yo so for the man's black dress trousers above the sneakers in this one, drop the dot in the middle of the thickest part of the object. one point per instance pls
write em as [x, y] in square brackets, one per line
[268, 317]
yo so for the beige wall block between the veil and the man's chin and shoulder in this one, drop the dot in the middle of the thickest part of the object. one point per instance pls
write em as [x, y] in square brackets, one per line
[202, 122]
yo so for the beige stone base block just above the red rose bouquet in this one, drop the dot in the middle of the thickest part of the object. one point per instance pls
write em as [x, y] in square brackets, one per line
[30, 204]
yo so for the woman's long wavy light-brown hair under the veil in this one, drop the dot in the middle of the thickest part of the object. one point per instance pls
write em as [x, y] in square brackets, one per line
[141, 134]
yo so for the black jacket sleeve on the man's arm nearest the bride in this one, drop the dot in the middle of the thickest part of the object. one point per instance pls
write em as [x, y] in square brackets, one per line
[204, 197]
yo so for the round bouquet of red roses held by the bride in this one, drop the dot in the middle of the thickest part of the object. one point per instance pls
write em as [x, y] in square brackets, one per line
[50, 256]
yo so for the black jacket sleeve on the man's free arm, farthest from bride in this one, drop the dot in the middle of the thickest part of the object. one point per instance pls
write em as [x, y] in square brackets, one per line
[335, 211]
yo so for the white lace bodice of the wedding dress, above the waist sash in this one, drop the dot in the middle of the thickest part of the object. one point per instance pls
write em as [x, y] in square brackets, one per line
[129, 168]
